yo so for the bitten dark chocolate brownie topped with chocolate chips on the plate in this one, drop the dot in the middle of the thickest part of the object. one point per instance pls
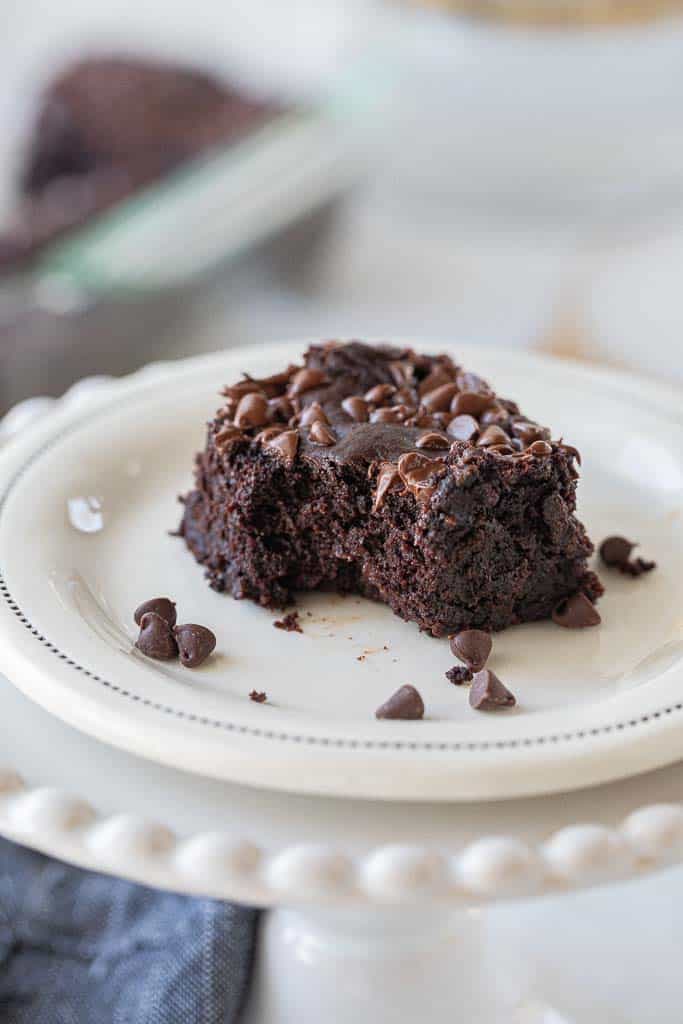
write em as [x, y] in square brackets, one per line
[396, 476]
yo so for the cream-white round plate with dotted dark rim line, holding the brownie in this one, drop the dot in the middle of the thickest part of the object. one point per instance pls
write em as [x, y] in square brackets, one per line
[593, 706]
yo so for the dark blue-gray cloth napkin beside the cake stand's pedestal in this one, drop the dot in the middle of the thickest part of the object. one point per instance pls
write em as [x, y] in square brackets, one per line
[82, 949]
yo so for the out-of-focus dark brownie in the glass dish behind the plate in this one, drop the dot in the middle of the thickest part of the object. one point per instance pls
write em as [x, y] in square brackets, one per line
[109, 126]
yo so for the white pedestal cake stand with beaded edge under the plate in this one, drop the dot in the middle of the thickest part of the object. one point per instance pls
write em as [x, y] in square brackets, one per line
[378, 910]
